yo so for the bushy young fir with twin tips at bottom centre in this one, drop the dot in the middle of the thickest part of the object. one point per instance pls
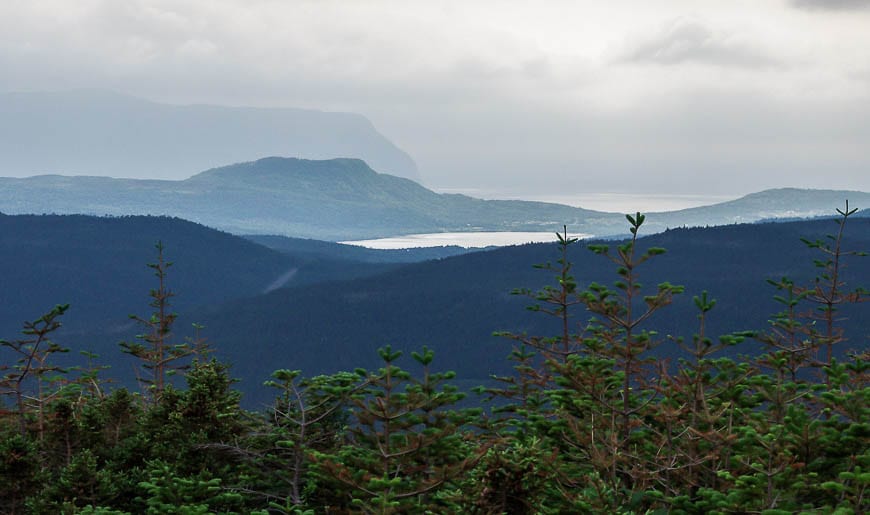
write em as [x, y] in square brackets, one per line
[407, 445]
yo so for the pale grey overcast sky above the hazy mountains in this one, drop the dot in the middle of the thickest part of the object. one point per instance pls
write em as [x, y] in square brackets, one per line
[537, 97]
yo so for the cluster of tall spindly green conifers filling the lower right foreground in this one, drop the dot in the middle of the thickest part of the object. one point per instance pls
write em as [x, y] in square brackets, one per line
[708, 435]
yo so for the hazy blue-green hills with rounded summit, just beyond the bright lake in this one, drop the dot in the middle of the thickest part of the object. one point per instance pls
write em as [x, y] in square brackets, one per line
[344, 199]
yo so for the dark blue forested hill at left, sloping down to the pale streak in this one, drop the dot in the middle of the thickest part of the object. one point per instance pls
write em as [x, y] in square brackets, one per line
[98, 265]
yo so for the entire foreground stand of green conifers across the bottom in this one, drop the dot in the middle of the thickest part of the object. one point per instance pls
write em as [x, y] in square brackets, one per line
[589, 419]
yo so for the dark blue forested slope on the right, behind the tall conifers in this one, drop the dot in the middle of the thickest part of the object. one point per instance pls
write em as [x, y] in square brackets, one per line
[453, 305]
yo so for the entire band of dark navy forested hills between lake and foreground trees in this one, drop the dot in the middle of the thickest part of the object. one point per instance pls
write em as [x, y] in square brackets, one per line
[321, 307]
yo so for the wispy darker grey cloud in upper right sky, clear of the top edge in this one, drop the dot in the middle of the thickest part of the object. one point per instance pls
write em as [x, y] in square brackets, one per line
[689, 40]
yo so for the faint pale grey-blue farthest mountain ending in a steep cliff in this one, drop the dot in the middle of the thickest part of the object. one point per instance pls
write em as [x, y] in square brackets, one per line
[92, 132]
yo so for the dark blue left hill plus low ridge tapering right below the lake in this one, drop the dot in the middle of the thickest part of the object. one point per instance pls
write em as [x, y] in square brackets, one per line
[98, 266]
